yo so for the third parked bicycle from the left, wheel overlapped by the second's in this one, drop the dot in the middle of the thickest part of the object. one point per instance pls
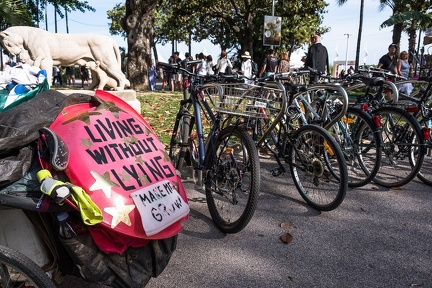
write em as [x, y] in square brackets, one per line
[326, 104]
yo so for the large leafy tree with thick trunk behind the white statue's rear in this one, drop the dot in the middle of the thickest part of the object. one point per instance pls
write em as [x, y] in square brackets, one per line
[234, 25]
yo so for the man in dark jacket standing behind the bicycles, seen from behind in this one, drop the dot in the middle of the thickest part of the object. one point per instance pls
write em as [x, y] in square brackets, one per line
[317, 57]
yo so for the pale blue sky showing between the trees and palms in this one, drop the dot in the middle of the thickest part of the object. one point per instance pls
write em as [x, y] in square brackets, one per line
[341, 19]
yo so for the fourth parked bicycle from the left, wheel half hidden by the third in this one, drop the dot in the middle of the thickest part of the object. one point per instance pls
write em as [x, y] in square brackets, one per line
[403, 142]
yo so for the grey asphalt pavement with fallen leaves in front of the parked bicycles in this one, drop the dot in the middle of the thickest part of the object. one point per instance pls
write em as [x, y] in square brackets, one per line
[378, 237]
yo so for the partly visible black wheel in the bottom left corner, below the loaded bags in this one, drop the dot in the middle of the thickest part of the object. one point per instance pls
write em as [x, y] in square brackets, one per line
[16, 270]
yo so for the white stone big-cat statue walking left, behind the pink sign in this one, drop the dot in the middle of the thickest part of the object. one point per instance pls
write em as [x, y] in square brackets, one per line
[47, 49]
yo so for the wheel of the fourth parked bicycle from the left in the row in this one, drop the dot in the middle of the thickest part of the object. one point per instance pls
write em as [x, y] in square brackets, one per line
[402, 149]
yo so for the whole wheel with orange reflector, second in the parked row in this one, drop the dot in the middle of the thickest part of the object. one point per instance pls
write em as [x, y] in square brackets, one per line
[318, 167]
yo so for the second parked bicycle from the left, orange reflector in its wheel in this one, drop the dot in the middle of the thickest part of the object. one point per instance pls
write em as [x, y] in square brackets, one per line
[315, 160]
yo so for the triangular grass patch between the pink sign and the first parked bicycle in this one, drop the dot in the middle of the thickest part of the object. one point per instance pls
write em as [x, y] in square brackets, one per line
[160, 109]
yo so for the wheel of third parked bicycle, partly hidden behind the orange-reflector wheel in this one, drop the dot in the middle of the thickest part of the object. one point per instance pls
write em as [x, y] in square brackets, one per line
[360, 141]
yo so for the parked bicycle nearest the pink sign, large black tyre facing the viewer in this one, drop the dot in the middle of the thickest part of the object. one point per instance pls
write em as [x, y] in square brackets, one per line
[227, 158]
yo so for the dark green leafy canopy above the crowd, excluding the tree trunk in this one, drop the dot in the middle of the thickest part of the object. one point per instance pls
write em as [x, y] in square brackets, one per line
[234, 25]
